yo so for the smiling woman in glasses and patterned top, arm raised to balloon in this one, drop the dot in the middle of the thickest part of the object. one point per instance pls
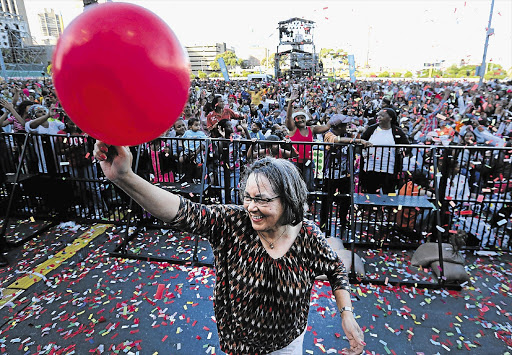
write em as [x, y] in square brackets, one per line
[266, 254]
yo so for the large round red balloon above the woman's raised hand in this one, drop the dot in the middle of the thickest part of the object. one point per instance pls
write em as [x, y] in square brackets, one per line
[121, 74]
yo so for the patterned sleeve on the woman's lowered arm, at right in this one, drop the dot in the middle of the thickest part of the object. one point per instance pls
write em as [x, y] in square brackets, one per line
[326, 261]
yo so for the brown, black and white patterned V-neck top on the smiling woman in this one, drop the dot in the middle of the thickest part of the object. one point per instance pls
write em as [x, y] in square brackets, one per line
[261, 304]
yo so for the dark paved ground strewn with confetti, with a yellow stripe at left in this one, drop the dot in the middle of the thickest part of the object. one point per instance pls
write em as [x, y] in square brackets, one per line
[88, 302]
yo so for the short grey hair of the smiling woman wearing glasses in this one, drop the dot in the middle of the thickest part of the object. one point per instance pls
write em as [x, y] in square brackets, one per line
[286, 181]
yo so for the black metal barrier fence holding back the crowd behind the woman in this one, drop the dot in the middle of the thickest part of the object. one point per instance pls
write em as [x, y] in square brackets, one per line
[375, 197]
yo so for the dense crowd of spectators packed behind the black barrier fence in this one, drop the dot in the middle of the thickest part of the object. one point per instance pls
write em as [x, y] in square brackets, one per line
[283, 118]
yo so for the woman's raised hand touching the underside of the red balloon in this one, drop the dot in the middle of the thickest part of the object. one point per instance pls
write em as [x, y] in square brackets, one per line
[116, 162]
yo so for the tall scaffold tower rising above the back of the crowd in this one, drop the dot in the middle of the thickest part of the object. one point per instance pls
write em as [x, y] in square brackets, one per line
[295, 53]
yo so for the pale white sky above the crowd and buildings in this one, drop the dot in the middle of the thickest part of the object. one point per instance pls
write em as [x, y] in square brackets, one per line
[391, 34]
